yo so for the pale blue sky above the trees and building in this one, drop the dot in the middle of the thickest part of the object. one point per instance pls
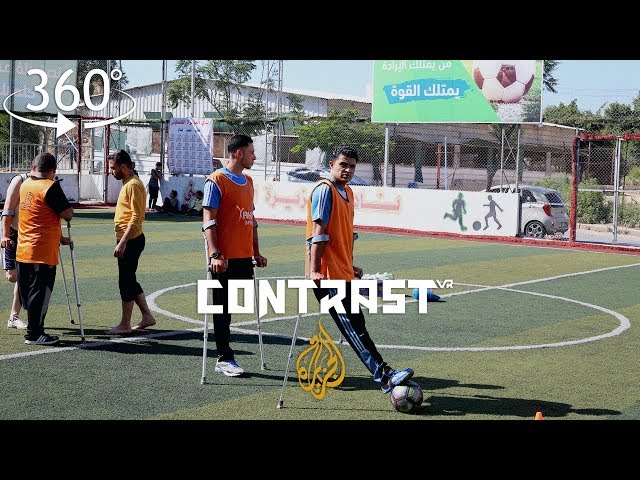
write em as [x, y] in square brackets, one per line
[592, 83]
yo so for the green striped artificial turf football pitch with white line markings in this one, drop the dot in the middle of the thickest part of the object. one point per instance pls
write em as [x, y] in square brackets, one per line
[524, 329]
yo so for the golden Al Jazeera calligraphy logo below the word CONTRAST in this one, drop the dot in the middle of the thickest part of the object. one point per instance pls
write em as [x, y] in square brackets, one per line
[320, 366]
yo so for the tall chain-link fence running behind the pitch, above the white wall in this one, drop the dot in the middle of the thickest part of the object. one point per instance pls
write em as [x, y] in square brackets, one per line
[297, 128]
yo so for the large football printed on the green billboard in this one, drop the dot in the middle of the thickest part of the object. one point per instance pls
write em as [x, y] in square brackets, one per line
[504, 81]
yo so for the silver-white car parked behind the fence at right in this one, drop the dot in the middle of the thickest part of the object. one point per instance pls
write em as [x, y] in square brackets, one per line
[542, 210]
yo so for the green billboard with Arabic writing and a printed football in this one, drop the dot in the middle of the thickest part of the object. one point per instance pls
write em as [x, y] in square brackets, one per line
[449, 91]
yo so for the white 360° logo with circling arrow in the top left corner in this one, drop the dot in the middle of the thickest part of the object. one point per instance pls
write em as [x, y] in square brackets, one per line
[62, 123]
